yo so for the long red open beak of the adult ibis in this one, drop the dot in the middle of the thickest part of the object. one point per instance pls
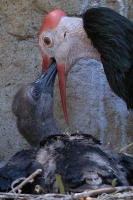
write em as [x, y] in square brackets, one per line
[62, 82]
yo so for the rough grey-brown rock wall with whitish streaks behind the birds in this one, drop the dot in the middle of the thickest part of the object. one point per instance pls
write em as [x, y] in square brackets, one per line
[92, 107]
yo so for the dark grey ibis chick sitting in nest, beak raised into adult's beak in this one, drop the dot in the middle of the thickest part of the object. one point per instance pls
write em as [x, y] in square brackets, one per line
[81, 160]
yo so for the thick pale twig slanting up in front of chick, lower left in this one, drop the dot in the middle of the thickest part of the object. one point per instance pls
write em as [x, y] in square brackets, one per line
[38, 171]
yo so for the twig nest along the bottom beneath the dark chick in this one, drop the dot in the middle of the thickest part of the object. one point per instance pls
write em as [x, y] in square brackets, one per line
[111, 193]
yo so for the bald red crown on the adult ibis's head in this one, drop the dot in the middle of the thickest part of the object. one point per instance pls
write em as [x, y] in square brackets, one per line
[52, 19]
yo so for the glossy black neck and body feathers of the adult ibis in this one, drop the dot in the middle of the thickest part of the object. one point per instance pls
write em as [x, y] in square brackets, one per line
[112, 35]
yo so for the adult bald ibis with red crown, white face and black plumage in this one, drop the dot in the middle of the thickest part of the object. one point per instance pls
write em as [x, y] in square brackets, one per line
[101, 34]
